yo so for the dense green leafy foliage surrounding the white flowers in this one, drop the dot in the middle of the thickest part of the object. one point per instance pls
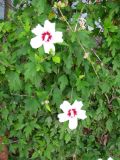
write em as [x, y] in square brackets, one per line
[33, 84]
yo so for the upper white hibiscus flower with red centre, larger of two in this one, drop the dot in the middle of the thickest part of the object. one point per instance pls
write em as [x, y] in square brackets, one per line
[46, 36]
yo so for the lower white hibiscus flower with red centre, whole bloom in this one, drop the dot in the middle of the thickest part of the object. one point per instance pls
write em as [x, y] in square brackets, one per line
[72, 113]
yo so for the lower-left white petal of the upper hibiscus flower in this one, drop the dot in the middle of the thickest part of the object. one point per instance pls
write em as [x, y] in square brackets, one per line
[36, 42]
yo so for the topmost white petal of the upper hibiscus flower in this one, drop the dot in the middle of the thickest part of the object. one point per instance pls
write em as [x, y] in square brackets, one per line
[48, 26]
